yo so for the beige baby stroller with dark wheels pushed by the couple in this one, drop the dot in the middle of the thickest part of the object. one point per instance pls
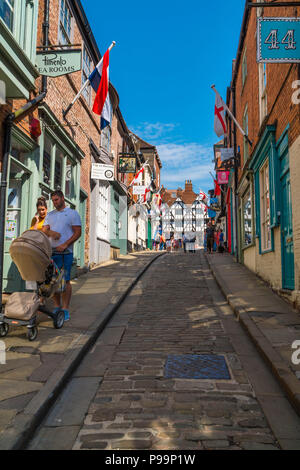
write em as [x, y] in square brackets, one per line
[31, 253]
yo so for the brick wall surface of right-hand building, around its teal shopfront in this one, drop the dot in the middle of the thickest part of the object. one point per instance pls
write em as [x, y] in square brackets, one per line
[281, 112]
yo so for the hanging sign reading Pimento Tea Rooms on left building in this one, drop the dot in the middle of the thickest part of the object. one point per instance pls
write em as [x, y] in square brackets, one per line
[57, 63]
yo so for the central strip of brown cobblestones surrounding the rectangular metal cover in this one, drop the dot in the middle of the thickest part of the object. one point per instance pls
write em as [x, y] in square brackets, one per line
[136, 407]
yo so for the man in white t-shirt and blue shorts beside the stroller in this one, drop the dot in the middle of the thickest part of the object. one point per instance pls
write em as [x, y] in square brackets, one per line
[65, 221]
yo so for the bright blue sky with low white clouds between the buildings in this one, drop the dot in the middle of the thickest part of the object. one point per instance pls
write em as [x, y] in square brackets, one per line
[168, 54]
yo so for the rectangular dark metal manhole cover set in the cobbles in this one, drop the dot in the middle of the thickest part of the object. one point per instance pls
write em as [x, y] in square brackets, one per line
[192, 366]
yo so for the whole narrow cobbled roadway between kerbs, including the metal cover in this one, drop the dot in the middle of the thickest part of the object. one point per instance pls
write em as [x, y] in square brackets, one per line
[172, 370]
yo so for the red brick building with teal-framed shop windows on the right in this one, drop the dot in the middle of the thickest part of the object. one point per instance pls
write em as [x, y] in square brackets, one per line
[260, 96]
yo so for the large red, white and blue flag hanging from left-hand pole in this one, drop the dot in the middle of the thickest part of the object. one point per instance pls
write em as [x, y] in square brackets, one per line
[99, 80]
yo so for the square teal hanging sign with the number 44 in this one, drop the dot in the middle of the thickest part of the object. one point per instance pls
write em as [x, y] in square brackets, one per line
[278, 40]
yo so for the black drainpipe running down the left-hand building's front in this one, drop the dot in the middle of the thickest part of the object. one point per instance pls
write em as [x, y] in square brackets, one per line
[8, 124]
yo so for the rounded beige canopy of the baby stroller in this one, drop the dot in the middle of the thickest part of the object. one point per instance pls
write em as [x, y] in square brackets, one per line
[31, 252]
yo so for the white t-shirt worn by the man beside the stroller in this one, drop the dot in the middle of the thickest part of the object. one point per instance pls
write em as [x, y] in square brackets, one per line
[62, 222]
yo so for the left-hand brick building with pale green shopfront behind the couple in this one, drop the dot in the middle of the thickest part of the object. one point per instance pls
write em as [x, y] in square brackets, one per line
[60, 156]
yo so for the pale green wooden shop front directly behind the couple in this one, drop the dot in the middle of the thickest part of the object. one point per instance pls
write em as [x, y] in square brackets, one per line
[35, 170]
